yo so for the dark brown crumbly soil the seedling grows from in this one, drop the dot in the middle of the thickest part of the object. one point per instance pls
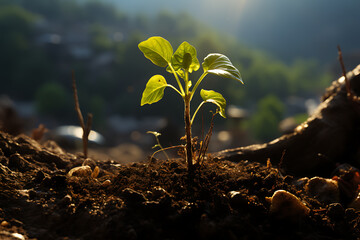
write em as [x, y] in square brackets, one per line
[155, 199]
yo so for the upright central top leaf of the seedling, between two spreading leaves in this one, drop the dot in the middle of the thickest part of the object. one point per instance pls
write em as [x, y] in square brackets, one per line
[185, 58]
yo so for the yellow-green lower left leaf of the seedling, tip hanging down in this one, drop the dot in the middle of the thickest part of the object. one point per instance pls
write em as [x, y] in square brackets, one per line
[154, 90]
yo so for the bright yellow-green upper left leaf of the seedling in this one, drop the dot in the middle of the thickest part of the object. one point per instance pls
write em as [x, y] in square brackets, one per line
[158, 50]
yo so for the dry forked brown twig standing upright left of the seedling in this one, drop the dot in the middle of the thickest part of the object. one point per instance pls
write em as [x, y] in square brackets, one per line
[86, 128]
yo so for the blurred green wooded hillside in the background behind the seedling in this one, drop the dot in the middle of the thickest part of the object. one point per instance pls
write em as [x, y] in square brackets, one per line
[44, 41]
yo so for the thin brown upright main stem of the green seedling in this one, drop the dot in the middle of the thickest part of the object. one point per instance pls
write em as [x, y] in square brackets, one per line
[189, 153]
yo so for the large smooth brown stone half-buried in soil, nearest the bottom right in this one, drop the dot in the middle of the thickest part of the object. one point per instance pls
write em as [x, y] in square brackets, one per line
[286, 206]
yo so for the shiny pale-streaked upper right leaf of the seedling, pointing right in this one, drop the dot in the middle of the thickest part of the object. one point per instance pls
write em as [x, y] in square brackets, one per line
[220, 65]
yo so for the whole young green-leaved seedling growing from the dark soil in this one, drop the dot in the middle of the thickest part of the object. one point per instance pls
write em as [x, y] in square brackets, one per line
[184, 61]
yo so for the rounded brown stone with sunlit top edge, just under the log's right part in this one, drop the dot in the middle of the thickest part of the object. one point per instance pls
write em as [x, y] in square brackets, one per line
[323, 189]
